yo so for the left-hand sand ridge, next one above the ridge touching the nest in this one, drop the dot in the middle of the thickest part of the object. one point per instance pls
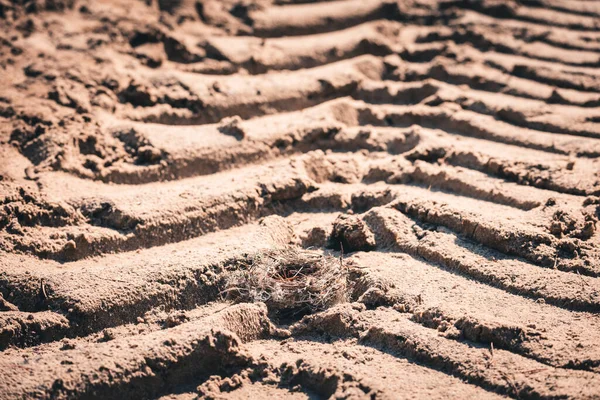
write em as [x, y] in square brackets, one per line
[121, 218]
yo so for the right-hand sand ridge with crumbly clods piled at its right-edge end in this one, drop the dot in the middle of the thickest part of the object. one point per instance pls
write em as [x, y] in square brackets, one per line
[538, 236]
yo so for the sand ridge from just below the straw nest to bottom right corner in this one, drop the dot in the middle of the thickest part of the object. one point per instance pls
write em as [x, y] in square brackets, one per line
[504, 372]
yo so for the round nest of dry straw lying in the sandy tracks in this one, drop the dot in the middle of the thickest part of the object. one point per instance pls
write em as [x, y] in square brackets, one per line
[289, 280]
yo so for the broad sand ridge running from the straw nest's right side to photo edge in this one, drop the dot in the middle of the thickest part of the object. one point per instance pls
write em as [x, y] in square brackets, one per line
[462, 309]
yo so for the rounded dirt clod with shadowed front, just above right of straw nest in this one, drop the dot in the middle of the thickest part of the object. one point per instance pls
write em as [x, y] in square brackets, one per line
[351, 234]
